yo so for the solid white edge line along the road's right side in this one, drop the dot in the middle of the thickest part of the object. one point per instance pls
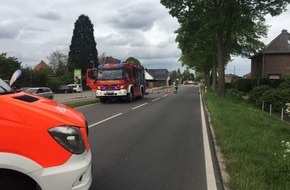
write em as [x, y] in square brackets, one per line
[210, 177]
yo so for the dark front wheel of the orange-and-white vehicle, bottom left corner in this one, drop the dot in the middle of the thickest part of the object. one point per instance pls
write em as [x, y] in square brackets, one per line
[13, 180]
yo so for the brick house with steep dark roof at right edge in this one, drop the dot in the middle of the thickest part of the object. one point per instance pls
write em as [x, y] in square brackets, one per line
[274, 60]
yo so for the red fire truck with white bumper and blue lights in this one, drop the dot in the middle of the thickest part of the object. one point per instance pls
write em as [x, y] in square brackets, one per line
[122, 80]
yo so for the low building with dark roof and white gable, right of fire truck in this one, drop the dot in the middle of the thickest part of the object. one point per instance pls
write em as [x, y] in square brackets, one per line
[157, 77]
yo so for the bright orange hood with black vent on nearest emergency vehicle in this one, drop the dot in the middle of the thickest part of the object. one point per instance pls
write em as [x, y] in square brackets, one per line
[35, 111]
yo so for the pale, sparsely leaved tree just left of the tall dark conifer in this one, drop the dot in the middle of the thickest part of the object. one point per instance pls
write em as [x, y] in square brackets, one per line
[58, 62]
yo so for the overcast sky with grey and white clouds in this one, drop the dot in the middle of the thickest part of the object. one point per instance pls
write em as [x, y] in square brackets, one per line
[31, 30]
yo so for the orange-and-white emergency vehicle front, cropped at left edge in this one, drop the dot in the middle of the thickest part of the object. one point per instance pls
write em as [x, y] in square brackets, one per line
[43, 144]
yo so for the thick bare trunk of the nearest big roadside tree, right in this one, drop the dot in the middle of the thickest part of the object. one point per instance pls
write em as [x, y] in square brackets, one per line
[221, 65]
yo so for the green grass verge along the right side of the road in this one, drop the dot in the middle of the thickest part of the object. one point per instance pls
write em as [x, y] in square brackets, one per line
[250, 141]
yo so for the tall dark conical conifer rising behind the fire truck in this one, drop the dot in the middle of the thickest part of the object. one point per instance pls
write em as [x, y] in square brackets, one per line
[83, 50]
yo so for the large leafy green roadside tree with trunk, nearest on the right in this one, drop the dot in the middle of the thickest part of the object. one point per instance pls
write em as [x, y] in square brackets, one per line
[234, 27]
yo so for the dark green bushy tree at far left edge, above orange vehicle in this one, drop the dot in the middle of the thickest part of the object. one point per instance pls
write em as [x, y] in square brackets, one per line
[8, 65]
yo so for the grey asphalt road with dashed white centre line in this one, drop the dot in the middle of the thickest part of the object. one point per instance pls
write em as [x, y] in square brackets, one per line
[155, 143]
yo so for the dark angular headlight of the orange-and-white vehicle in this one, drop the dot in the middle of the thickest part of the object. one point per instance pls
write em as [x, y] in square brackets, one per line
[69, 137]
